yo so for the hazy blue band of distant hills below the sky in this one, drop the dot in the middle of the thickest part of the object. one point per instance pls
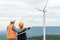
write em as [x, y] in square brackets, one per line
[49, 30]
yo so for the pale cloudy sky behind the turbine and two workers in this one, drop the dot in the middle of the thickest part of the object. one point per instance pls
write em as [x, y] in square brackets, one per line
[24, 10]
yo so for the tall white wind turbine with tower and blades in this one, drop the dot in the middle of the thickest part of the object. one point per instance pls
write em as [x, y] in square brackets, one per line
[44, 11]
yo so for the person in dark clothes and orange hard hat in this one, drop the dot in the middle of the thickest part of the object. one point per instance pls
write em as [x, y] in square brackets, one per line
[22, 36]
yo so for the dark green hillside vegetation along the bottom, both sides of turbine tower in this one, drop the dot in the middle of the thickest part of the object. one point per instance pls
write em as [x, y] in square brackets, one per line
[48, 37]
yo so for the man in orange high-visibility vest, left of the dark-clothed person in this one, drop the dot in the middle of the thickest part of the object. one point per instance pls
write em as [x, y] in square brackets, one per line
[11, 35]
